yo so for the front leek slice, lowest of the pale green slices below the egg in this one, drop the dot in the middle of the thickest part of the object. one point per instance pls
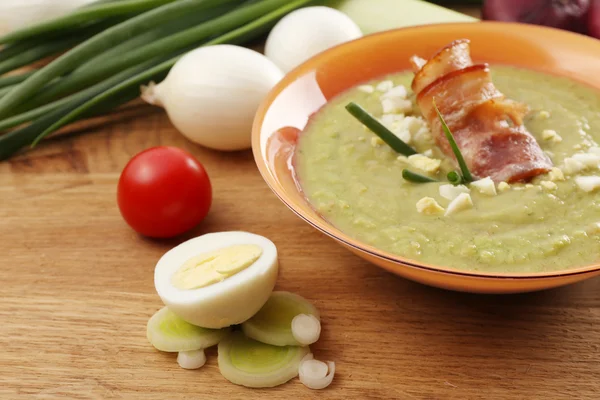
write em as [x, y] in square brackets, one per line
[247, 362]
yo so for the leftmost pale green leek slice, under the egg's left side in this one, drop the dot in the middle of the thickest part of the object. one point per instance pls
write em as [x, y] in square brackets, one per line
[167, 332]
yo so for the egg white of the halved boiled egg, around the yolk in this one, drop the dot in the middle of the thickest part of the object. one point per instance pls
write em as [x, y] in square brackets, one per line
[230, 302]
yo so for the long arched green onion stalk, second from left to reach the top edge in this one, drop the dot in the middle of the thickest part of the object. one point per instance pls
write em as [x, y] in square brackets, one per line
[99, 43]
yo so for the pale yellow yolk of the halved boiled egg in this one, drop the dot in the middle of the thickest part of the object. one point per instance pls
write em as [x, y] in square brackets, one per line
[215, 266]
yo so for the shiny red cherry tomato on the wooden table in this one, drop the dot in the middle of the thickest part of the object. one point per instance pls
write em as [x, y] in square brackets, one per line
[164, 192]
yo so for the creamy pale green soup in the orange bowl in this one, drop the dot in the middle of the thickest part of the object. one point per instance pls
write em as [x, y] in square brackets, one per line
[354, 180]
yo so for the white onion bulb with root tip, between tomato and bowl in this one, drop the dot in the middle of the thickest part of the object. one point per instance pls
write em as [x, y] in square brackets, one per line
[212, 94]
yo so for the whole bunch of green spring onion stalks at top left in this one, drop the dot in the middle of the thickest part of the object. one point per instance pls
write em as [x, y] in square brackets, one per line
[103, 52]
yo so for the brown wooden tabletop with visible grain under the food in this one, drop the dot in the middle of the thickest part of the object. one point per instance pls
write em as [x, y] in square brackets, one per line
[77, 291]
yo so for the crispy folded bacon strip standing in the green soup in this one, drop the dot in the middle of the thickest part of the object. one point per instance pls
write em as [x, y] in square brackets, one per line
[488, 128]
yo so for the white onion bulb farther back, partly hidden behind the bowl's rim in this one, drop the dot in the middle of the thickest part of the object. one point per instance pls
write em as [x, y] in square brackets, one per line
[306, 32]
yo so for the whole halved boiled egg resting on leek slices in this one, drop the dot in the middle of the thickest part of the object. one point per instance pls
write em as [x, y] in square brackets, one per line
[218, 279]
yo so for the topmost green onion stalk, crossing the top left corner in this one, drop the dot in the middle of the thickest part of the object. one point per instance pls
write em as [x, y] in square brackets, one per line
[83, 15]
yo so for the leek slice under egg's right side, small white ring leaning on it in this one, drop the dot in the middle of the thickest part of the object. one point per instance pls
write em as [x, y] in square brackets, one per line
[273, 322]
